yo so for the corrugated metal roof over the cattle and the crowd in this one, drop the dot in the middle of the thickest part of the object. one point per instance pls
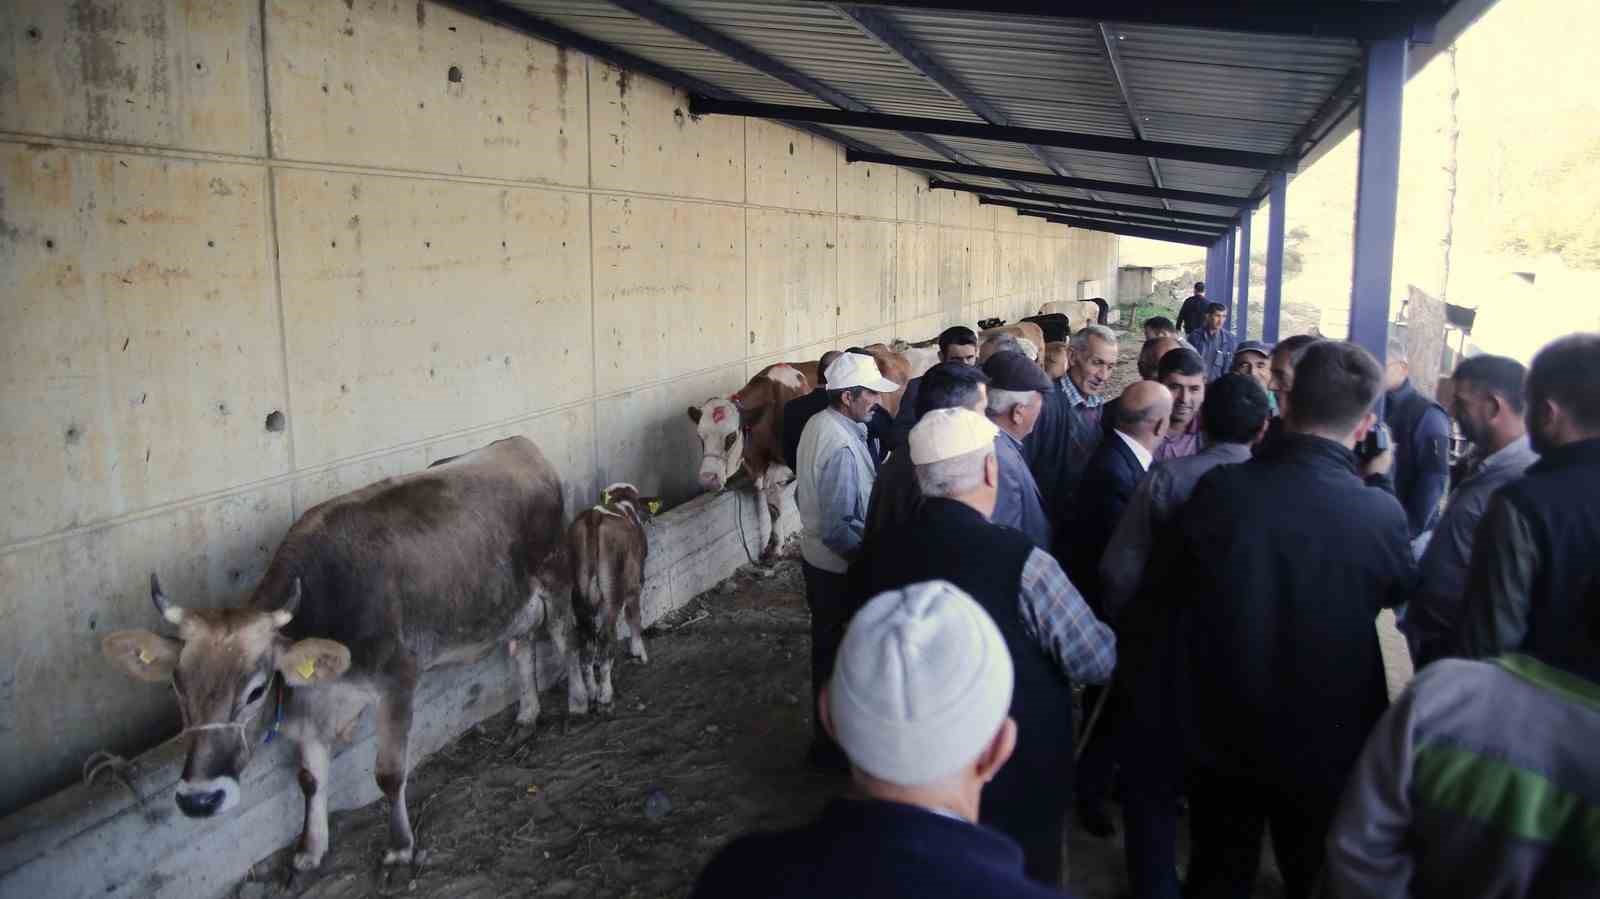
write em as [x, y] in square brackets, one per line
[1183, 86]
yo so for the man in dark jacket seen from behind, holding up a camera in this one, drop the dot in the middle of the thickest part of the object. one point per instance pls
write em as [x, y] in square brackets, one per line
[1286, 564]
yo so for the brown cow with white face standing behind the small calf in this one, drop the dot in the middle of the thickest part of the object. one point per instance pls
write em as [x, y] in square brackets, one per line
[746, 433]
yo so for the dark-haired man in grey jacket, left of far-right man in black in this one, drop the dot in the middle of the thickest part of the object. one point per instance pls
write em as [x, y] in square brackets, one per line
[1489, 407]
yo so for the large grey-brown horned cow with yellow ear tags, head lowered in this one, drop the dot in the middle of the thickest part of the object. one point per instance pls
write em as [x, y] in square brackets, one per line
[366, 594]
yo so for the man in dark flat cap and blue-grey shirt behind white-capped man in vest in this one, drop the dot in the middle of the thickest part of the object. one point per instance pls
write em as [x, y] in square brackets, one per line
[1017, 393]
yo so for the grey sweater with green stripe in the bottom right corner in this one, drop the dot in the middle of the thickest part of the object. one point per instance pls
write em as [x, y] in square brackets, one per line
[1482, 781]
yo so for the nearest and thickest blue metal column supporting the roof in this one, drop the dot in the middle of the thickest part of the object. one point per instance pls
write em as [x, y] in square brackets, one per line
[1377, 191]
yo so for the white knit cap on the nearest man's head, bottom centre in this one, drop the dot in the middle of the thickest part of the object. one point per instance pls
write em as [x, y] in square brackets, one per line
[921, 685]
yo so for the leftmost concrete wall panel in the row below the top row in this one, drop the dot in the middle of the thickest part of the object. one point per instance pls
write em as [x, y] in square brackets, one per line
[138, 338]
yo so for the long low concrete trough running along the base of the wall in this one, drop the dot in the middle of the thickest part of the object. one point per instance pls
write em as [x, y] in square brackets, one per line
[103, 842]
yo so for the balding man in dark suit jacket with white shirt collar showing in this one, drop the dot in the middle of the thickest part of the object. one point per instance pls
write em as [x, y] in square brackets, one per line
[1108, 485]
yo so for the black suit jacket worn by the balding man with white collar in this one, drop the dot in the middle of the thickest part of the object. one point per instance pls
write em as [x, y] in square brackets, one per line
[1105, 492]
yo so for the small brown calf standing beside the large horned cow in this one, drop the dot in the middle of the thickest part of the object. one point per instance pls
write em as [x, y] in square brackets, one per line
[607, 545]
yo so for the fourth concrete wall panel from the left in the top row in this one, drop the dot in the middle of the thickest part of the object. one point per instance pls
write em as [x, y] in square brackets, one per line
[791, 169]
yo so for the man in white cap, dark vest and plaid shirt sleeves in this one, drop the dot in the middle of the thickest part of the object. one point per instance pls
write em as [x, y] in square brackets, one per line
[1050, 631]
